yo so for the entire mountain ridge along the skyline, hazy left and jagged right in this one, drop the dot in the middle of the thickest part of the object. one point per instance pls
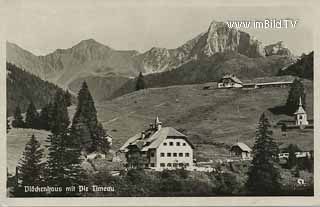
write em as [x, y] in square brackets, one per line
[89, 57]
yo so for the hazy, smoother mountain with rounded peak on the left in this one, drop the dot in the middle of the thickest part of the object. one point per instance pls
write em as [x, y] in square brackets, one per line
[64, 65]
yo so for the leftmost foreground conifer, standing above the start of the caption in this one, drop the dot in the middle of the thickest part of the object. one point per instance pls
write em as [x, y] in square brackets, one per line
[31, 167]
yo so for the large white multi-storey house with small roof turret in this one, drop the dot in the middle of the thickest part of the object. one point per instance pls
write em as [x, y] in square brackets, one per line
[158, 148]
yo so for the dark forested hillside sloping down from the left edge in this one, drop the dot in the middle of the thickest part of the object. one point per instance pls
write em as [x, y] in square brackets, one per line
[23, 87]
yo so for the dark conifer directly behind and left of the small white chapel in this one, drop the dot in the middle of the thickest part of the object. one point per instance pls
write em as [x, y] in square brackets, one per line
[296, 91]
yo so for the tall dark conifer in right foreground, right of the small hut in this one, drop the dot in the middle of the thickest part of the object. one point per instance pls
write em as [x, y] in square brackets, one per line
[263, 175]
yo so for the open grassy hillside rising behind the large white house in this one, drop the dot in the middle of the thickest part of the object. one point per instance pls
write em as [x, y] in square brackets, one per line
[210, 118]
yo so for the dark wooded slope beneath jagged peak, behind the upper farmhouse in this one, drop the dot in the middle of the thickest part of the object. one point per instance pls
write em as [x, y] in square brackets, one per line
[212, 69]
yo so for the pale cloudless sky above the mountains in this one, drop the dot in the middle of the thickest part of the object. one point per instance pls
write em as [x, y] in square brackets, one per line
[44, 26]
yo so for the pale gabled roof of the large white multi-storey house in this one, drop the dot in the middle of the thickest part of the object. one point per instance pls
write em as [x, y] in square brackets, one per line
[155, 139]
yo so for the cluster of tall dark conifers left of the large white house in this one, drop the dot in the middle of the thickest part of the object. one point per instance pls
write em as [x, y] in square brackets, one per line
[66, 144]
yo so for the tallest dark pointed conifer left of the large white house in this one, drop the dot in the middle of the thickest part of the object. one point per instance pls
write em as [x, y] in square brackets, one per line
[85, 122]
